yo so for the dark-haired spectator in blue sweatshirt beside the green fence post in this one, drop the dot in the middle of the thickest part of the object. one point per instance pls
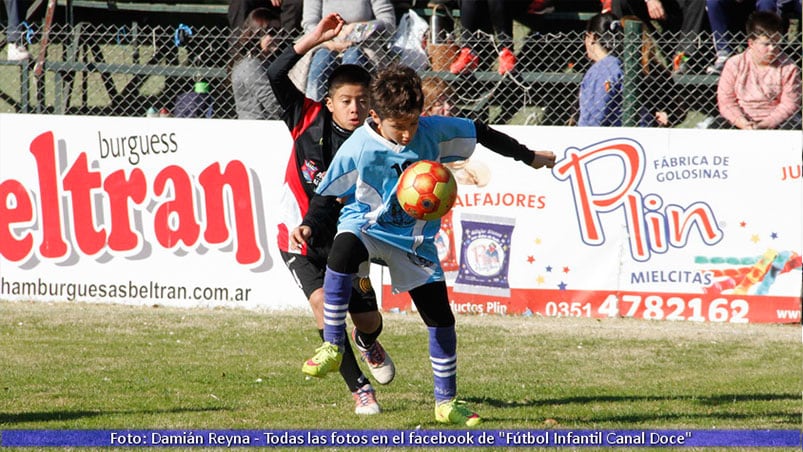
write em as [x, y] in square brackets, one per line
[601, 88]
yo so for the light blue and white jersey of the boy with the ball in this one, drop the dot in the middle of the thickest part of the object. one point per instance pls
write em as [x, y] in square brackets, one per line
[366, 170]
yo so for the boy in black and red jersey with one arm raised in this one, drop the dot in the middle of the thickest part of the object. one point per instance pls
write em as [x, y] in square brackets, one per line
[318, 129]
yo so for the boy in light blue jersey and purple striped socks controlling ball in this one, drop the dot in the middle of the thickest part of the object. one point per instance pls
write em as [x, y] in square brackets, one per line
[373, 227]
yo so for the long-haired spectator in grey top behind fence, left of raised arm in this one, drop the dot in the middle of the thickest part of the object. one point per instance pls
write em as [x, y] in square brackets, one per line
[253, 95]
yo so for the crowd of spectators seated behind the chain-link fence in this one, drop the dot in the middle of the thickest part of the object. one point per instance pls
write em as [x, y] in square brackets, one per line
[758, 85]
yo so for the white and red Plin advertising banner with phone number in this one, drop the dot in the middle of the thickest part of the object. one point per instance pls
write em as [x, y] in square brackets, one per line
[696, 225]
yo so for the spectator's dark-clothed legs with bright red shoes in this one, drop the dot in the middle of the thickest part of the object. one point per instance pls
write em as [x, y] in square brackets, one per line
[494, 18]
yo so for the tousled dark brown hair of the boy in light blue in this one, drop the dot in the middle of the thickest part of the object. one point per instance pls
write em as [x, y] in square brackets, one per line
[396, 92]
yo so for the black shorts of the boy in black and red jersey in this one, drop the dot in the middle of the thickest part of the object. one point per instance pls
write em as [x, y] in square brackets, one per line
[308, 271]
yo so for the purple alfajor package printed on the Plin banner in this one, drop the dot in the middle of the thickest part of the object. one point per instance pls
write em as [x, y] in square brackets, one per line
[484, 256]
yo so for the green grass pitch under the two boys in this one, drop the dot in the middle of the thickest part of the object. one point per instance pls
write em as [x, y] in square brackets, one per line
[87, 366]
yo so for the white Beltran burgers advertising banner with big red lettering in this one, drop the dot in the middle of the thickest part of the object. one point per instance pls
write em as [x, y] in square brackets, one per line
[174, 212]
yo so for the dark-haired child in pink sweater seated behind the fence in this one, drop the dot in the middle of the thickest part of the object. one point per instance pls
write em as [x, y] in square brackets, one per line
[760, 87]
